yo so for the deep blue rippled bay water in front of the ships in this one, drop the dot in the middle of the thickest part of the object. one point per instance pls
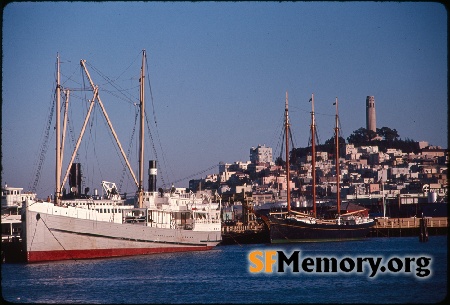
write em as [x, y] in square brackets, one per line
[222, 276]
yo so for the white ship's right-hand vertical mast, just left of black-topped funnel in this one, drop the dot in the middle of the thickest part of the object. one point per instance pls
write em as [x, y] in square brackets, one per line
[141, 132]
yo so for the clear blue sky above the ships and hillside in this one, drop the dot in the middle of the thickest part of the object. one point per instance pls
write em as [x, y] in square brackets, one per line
[218, 74]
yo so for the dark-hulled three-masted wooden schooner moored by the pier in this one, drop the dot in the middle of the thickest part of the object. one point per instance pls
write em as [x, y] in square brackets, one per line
[292, 226]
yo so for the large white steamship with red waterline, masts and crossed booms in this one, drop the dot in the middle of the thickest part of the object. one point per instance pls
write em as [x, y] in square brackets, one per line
[82, 226]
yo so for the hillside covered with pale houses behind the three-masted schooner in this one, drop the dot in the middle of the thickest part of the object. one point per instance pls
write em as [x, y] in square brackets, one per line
[389, 183]
